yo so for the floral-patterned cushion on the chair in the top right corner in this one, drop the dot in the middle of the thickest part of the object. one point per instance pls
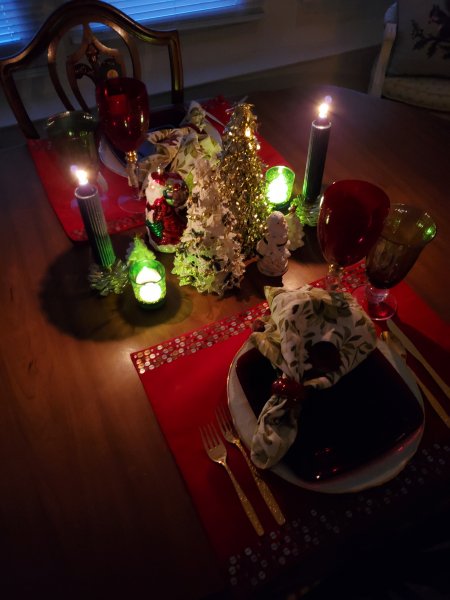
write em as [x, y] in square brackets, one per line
[422, 44]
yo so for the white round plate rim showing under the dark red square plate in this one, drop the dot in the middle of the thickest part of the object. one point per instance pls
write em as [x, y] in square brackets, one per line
[373, 473]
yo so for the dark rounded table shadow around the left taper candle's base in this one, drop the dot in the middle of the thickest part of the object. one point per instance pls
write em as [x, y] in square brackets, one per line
[70, 304]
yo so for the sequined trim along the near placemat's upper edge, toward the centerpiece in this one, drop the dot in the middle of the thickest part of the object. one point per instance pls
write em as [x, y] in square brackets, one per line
[189, 343]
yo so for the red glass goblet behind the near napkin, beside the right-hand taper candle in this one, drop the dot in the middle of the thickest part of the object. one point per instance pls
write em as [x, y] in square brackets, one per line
[351, 217]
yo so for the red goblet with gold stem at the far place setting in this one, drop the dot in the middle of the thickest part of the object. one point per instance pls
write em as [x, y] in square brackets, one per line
[123, 110]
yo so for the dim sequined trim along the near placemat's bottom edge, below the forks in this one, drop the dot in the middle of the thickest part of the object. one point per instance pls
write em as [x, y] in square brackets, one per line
[321, 525]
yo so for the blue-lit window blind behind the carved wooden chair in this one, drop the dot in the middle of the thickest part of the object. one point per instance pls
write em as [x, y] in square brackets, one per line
[20, 19]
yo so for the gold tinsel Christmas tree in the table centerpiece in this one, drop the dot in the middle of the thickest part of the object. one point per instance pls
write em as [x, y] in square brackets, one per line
[241, 177]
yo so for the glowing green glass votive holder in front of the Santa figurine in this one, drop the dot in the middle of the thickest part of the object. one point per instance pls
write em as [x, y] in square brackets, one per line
[148, 280]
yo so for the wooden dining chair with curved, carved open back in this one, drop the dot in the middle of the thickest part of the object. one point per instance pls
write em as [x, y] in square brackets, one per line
[91, 58]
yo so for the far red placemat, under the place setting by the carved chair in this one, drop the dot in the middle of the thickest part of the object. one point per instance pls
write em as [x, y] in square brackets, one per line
[60, 189]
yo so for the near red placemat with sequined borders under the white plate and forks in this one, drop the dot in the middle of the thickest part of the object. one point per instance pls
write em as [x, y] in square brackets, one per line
[185, 380]
